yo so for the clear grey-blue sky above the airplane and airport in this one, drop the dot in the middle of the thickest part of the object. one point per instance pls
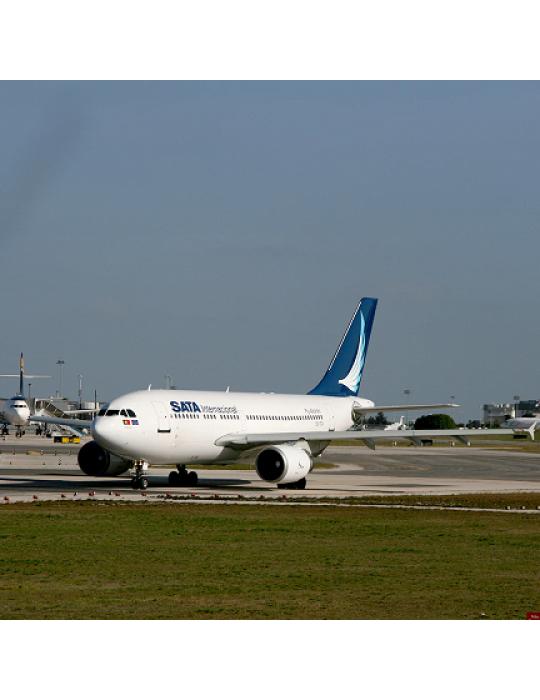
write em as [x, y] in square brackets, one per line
[223, 233]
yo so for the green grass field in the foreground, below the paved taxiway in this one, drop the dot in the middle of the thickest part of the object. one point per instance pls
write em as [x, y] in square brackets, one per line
[92, 560]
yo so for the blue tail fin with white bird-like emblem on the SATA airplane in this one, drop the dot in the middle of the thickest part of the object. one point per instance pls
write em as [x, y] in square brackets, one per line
[343, 376]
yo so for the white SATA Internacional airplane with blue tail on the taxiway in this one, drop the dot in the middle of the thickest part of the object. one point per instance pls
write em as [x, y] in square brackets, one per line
[285, 432]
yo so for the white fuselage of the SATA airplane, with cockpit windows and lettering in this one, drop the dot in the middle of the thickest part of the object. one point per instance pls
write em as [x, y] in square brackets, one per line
[178, 427]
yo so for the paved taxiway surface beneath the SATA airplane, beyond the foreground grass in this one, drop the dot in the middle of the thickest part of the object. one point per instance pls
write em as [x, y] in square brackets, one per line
[35, 468]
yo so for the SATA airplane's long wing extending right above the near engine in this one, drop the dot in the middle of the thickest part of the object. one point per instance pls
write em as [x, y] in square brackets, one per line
[368, 437]
